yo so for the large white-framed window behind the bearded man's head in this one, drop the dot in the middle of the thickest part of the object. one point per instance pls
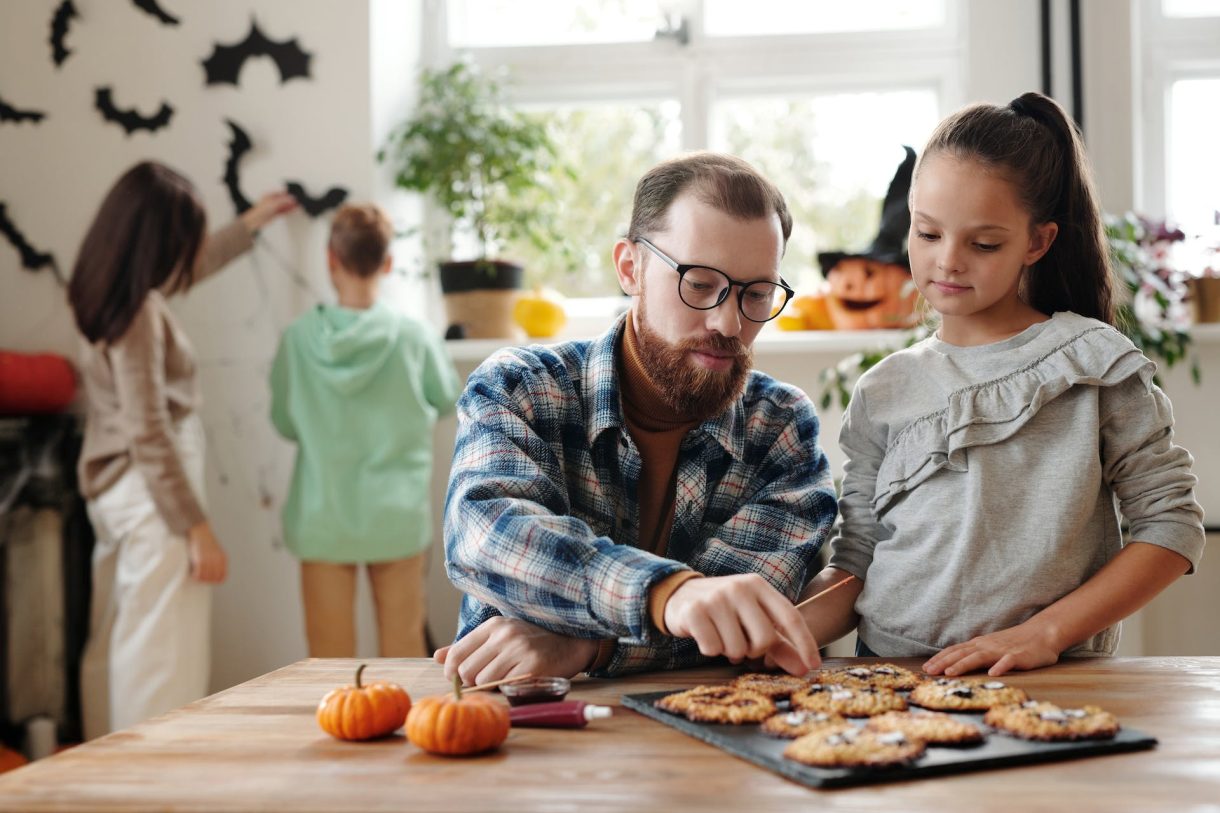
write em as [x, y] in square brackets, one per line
[819, 97]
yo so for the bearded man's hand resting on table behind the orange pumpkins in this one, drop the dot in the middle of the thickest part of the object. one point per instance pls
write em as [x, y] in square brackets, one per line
[504, 648]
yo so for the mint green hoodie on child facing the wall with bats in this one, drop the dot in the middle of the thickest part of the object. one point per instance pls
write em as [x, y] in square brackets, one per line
[359, 392]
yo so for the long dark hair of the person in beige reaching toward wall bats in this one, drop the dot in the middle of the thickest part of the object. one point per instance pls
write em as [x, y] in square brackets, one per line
[146, 236]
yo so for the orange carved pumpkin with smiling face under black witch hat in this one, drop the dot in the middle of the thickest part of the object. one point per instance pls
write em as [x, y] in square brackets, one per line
[866, 295]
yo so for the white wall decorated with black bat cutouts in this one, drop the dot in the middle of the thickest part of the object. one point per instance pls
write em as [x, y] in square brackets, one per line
[320, 131]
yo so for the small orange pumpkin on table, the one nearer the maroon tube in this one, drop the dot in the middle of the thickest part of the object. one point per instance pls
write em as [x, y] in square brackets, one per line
[458, 726]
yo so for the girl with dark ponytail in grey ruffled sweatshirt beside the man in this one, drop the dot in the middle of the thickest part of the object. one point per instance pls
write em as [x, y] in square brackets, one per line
[989, 464]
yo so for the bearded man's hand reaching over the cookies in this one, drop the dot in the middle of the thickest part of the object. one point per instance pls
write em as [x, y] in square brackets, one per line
[742, 618]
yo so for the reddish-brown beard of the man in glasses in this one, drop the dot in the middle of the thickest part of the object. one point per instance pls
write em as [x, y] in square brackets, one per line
[686, 386]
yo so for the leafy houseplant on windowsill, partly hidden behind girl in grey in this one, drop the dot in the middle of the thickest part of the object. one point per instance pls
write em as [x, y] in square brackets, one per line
[1152, 312]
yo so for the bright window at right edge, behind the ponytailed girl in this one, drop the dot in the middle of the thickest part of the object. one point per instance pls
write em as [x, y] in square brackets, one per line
[1180, 175]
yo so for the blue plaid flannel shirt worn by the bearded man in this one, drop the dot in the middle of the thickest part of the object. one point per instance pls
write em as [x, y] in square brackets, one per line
[542, 516]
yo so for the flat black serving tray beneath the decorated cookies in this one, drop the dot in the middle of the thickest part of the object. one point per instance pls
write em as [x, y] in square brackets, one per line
[997, 751]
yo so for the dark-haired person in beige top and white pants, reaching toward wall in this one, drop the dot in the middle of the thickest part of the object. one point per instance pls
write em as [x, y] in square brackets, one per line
[141, 467]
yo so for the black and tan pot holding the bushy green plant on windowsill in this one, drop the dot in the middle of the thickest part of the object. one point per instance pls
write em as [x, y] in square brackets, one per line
[480, 296]
